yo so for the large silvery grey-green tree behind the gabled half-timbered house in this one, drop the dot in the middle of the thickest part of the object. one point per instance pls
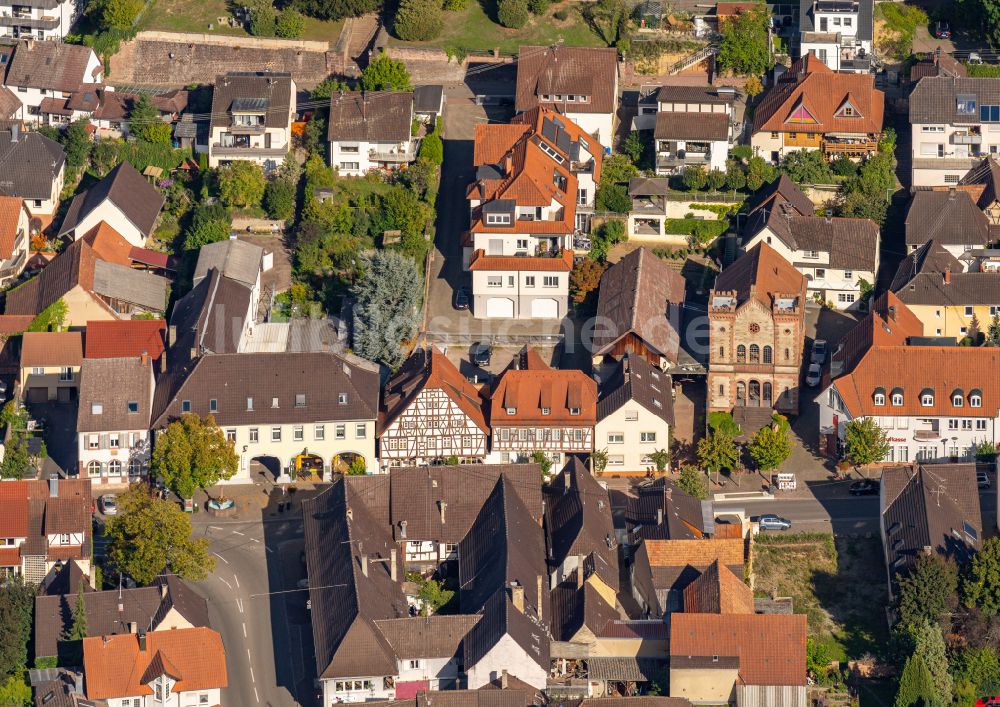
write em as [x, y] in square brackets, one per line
[386, 310]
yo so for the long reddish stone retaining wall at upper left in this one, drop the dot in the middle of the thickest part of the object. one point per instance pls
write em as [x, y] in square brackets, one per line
[177, 59]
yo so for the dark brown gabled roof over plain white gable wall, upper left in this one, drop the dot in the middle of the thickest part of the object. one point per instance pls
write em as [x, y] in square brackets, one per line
[137, 199]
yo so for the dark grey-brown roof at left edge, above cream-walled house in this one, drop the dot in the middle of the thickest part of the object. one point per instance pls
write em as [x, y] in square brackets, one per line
[29, 164]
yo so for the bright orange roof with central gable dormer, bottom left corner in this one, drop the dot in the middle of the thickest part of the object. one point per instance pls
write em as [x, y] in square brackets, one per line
[115, 667]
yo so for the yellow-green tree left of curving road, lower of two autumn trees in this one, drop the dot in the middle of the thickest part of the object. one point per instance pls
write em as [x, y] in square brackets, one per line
[149, 535]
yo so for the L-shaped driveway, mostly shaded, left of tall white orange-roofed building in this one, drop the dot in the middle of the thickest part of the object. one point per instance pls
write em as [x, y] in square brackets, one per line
[442, 322]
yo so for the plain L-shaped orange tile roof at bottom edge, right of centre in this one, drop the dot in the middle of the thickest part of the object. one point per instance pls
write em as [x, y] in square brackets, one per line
[771, 648]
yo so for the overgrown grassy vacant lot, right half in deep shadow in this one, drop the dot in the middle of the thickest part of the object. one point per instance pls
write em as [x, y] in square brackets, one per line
[838, 584]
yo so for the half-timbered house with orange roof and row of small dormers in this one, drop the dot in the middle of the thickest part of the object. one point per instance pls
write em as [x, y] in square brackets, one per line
[535, 408]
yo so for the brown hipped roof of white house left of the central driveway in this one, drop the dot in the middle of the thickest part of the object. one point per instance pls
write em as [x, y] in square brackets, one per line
[377, 117]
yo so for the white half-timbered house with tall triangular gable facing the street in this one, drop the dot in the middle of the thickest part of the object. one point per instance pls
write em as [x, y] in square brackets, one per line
[430, 412]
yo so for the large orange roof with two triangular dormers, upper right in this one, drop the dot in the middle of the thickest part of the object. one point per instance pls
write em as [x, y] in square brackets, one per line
[811, 87]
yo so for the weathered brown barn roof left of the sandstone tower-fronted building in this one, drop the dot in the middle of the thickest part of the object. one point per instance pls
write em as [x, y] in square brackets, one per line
[638, 295]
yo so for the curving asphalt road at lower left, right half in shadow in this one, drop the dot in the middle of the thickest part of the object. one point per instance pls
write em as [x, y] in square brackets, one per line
[254, 603]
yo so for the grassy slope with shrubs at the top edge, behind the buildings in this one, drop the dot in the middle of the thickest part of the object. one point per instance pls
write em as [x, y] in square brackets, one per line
[475, 29]
